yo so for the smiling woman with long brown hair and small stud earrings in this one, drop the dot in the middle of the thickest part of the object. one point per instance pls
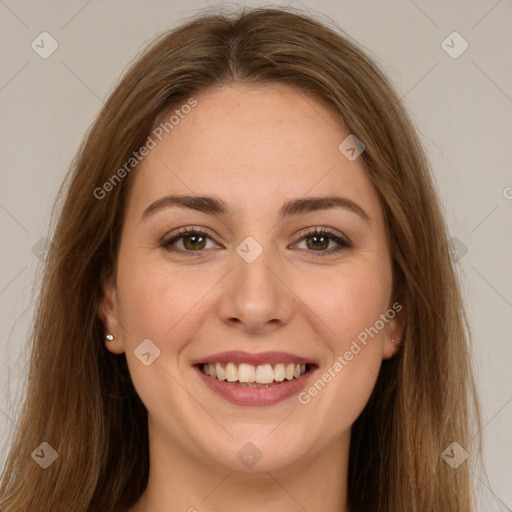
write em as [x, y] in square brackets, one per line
[250, 302]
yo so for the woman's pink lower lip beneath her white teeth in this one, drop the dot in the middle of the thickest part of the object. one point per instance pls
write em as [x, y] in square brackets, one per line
[240, 395]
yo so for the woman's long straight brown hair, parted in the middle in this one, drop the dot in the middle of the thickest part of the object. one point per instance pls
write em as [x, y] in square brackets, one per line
[80, 398]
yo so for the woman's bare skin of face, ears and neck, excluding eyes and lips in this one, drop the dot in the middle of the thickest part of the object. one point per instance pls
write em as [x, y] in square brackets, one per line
[254, 147]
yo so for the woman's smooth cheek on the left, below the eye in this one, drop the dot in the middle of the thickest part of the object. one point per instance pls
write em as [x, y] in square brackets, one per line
[161, 304]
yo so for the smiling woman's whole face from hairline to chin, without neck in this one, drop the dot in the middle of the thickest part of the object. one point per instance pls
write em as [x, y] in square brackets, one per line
[264, 274]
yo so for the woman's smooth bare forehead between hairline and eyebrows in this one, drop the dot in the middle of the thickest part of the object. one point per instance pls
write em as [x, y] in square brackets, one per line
[252, 145]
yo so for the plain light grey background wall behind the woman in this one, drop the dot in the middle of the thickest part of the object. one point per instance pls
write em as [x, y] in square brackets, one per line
[462, 108]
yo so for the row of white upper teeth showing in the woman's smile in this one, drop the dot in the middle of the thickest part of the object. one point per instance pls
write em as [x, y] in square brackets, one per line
[261, 374]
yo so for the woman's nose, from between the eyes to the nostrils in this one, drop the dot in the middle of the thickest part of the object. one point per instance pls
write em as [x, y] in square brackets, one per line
[257, 298]
